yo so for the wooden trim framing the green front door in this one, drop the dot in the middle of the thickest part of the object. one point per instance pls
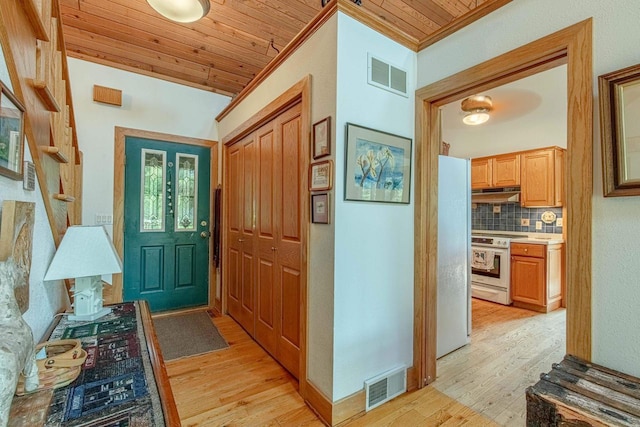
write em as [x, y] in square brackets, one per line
[114, 293]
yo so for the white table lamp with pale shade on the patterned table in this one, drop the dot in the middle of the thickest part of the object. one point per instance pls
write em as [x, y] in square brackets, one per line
[85, 253]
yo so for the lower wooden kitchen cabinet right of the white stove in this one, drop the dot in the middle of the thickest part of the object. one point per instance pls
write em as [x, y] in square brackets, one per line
[536, 276]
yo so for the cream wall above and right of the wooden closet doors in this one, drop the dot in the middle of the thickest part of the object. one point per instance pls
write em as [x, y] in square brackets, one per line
[317, 57]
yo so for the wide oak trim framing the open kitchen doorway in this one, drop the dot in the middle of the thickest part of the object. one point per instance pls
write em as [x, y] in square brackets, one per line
[573, 46]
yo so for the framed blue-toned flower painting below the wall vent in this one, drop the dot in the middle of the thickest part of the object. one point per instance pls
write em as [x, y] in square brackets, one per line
[378, 166]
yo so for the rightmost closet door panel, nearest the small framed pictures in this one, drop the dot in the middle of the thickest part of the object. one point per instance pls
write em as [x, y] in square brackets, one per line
[289, 246]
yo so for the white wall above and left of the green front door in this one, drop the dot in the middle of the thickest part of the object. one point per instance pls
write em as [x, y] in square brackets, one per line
[148, 104]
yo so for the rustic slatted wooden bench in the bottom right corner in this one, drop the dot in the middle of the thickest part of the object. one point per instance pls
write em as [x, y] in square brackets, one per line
[577, 393]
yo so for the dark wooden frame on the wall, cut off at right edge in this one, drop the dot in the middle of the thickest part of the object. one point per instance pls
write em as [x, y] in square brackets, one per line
[620, 131]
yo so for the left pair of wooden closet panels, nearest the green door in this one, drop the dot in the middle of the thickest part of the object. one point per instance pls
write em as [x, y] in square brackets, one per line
[240, 241]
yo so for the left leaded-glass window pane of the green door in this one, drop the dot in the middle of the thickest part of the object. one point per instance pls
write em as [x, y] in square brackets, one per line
[153, 190]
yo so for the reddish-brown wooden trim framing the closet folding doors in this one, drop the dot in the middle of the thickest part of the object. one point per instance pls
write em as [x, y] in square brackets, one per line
[300, 92]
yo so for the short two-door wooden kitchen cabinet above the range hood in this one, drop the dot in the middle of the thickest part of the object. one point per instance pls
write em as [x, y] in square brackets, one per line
[496, 171]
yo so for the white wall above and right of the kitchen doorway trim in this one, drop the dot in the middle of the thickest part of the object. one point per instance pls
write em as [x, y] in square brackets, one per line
[616, 294]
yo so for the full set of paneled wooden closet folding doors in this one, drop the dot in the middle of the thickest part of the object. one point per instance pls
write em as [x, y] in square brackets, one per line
[263, 235]
